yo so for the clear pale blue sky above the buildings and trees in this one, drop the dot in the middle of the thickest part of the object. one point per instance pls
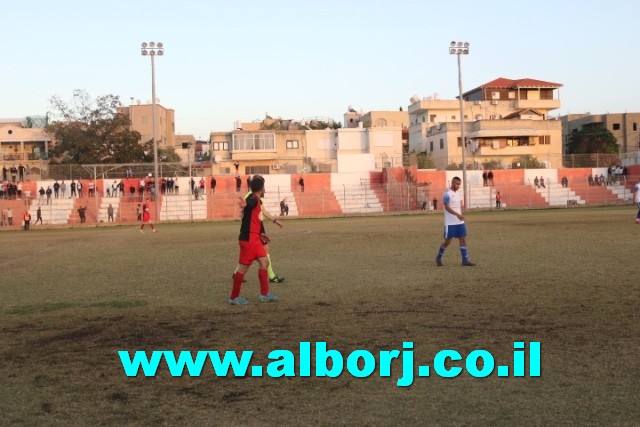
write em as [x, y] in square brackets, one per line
[239, 60]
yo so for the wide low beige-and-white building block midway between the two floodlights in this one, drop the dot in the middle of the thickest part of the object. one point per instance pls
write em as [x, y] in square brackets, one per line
[288, 146]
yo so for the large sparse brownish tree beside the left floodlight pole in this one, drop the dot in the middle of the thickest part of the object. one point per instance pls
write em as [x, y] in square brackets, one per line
[92, 131]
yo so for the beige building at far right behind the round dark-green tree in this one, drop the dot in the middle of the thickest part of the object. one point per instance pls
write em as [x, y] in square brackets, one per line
[624, 126]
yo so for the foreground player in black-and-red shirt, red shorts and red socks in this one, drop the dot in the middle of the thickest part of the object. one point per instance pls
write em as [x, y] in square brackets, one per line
[252, 245]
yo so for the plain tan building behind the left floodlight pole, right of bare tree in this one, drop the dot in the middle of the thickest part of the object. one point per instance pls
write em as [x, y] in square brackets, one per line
[141, 117]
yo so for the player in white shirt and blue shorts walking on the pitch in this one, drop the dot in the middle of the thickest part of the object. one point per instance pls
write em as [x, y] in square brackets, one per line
[454, 226]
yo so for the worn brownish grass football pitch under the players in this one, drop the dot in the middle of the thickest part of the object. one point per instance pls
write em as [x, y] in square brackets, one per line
[568, 278]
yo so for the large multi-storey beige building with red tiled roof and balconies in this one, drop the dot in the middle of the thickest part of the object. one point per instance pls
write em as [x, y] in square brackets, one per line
[504, 120]
